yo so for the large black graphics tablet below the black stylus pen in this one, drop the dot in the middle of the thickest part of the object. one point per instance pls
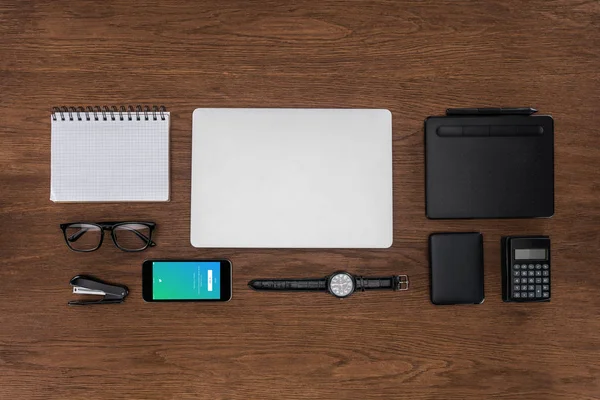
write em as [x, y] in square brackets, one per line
[489, 166]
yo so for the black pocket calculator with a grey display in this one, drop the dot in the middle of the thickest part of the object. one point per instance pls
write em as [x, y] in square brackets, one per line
[526, 268]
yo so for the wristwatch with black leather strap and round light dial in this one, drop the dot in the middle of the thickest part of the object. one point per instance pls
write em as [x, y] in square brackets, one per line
[340, 284]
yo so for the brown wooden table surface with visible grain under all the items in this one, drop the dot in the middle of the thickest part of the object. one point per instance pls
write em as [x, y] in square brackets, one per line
[413, 58]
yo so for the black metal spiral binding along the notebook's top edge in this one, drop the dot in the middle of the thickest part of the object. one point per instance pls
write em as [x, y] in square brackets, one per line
[106, 113]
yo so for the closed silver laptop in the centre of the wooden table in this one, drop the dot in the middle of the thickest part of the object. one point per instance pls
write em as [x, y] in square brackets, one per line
[291, 178]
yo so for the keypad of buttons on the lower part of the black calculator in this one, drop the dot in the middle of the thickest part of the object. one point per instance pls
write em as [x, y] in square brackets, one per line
[530, 282]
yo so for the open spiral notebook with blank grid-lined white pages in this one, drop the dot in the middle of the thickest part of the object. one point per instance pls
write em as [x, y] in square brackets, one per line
[102, 154]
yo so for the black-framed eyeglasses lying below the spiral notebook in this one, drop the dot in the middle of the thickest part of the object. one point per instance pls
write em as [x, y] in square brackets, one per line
[127, 236]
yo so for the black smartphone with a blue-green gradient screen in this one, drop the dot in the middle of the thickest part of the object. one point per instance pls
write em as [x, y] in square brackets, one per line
[186, 280]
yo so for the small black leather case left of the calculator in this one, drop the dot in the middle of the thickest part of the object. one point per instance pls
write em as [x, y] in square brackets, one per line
[456, 261]
